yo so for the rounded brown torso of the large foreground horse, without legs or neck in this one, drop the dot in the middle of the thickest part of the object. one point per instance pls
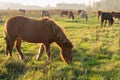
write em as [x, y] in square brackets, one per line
[28, 29]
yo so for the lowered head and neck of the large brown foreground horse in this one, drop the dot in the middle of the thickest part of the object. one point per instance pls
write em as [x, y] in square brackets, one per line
[64, 43]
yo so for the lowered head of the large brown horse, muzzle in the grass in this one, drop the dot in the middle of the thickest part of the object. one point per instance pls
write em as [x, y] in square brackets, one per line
[66, 52]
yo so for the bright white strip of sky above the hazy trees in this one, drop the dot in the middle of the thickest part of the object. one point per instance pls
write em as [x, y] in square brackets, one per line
[44, 3]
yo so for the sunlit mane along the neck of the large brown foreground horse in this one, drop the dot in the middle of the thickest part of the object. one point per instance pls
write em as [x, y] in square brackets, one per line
[58, 31]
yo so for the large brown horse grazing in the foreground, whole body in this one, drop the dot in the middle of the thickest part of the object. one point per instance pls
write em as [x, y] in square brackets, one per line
[43, 31]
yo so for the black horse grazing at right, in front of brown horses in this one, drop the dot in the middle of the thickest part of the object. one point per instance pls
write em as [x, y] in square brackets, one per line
[106, 16]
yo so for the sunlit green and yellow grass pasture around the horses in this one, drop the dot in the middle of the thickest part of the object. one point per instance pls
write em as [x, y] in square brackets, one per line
[96, 52]
